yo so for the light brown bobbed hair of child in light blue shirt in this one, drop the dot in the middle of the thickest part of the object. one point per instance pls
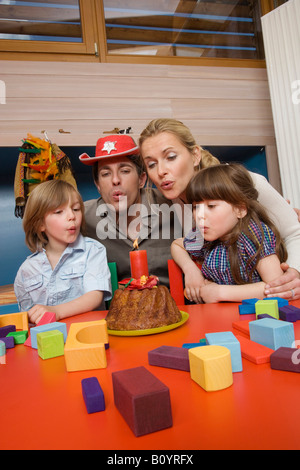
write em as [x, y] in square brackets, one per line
[45, 198]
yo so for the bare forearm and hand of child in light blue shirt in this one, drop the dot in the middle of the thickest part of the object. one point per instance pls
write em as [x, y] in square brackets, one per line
[85, 303]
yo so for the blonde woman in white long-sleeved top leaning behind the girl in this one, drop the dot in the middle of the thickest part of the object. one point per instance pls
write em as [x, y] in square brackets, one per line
[172, 157]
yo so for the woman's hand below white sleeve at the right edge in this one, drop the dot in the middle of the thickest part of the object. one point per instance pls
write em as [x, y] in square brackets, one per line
[286, 286]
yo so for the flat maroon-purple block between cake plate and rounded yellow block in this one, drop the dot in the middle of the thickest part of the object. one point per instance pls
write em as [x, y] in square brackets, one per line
[171, 357]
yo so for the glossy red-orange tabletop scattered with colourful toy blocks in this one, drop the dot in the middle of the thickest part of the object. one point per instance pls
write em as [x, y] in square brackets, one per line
[41, 404]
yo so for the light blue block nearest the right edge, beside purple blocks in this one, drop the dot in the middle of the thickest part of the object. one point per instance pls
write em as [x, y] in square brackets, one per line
[272, 333]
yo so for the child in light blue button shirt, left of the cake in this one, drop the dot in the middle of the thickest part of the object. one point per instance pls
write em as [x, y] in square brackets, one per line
[67, 273]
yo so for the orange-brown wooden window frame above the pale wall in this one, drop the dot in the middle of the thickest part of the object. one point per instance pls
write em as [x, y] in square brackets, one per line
[94, 47]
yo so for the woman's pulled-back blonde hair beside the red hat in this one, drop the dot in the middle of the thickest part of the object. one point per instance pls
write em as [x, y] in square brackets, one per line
[184, 135]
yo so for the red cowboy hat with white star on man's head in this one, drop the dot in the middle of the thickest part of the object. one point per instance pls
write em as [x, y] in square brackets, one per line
[117, 145]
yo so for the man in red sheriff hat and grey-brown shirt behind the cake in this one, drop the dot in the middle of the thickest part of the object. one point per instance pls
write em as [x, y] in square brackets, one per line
[125, 210]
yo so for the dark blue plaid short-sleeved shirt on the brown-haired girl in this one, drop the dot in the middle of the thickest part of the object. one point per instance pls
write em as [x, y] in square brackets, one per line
[215, 257]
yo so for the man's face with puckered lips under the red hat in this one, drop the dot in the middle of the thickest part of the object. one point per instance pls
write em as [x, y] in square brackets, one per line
[119, 183]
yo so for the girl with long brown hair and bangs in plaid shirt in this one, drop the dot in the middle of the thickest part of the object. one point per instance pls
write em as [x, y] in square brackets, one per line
[241, 248]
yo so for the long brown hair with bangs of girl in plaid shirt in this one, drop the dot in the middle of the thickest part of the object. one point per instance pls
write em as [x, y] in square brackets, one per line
[232, 183]
